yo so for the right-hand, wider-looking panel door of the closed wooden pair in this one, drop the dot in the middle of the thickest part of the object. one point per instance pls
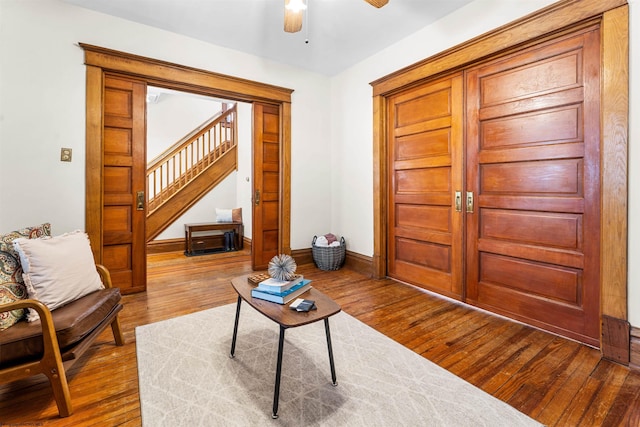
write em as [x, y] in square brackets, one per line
[533, 165]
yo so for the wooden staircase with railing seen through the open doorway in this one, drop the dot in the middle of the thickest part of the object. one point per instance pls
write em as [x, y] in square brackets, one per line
[188, 170]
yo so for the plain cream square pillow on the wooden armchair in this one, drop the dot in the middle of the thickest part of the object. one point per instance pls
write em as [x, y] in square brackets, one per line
[58, 270]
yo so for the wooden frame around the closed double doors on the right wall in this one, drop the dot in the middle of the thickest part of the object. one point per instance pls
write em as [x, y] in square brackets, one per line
[613, 16]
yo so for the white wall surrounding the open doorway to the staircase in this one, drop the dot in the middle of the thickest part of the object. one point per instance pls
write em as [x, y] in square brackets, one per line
[42, 108]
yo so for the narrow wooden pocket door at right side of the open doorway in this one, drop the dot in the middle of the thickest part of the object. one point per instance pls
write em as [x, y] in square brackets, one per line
[266, 182]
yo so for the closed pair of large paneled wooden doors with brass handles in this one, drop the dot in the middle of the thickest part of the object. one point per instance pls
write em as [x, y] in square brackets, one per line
[494, 185]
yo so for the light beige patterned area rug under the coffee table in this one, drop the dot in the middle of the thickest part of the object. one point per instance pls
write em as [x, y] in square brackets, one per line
[187, 378]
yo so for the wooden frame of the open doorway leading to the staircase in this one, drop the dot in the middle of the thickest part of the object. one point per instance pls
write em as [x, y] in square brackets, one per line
[99, 61]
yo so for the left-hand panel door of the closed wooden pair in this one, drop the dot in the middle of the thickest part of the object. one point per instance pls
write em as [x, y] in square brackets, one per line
[425, 230]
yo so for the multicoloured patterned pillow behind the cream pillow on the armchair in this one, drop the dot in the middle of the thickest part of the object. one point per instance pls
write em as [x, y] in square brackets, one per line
[11, 285]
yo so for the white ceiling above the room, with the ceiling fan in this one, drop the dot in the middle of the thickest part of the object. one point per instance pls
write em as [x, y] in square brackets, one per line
[340, 33]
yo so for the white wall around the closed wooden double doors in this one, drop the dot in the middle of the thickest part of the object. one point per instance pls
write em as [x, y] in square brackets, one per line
[352, 186]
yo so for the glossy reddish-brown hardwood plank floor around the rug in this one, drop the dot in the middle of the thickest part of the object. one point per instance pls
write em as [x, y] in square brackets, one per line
[554, 380]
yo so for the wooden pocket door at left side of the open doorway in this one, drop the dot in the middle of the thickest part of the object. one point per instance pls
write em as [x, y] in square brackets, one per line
[124, 244]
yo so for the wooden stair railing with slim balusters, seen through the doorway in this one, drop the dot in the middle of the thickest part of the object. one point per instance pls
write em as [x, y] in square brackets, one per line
[186, 159]
